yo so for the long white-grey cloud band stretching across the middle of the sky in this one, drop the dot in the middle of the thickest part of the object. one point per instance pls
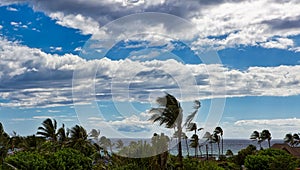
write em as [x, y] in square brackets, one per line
[32, 78]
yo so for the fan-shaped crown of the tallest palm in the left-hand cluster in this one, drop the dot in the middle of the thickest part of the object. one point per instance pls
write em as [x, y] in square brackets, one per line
[48, 129]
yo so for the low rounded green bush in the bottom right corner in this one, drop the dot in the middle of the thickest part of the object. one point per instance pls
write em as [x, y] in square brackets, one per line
[270, 159]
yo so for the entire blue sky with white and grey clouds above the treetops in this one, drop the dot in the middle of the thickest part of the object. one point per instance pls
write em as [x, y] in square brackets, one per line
[102, 64]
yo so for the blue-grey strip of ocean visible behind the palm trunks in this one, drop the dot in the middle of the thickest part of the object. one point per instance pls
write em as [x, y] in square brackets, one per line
[235, 145]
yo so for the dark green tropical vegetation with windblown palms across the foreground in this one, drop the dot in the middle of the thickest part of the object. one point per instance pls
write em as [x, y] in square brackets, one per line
[63, 148]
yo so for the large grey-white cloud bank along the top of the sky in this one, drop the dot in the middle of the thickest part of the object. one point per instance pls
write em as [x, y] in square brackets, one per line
[254, 23]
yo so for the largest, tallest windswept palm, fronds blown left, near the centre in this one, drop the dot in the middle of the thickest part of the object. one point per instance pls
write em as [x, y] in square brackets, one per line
[169, 113]
